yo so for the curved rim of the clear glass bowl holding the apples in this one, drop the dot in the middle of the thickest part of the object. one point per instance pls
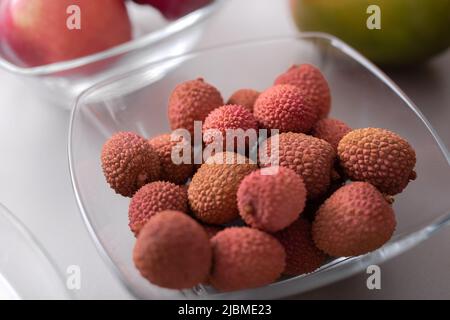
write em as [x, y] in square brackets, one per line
[147, 40]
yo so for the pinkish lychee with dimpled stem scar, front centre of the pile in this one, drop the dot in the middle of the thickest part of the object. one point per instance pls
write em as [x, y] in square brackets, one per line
[270, 199]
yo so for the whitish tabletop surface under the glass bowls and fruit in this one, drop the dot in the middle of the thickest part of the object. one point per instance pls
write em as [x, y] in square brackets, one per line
[35, 183]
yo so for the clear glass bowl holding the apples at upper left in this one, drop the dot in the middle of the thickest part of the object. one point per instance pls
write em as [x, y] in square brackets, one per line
[153, 39]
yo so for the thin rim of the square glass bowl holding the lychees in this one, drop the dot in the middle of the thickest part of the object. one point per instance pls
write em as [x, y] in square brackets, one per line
[346, 266]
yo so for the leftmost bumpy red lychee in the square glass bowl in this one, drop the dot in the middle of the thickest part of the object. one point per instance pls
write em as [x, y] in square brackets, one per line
[129, 162]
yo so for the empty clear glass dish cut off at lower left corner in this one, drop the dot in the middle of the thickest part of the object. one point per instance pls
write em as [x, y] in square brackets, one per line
[26, 270]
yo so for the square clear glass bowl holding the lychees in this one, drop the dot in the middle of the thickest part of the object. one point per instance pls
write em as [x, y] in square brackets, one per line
[362, 96]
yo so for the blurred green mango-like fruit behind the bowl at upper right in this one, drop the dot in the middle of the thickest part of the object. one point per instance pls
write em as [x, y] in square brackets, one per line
[411, 30]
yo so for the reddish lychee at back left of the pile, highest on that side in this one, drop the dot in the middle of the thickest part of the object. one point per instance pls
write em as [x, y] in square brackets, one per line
[192, 101]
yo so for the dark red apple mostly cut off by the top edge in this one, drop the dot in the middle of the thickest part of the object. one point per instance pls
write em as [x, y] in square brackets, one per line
[174, 9]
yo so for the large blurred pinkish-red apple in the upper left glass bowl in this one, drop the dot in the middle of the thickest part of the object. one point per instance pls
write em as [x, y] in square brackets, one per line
[40, 32]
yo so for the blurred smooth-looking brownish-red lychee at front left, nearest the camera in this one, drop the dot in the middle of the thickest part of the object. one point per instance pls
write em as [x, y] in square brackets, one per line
[173, 251]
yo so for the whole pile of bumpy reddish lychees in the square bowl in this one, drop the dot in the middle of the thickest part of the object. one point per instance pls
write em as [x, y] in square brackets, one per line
[241, 223]
